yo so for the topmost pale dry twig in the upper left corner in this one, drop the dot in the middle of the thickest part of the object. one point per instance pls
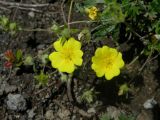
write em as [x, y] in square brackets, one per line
[22, 5]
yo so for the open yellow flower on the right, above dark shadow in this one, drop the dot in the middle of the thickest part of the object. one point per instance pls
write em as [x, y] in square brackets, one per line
[107, 61]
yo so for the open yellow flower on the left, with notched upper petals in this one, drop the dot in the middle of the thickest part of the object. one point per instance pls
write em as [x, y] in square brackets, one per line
[67, 55]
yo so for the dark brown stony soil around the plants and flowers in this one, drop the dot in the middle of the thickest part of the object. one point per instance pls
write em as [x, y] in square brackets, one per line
[52, 102]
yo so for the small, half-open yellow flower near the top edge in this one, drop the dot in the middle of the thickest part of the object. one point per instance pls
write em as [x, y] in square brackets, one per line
[92, 12]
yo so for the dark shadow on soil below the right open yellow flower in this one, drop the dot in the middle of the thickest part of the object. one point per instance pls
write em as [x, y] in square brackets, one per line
[108, 90]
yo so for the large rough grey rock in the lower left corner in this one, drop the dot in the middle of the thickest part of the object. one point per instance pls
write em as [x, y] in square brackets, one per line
[16, 102]
